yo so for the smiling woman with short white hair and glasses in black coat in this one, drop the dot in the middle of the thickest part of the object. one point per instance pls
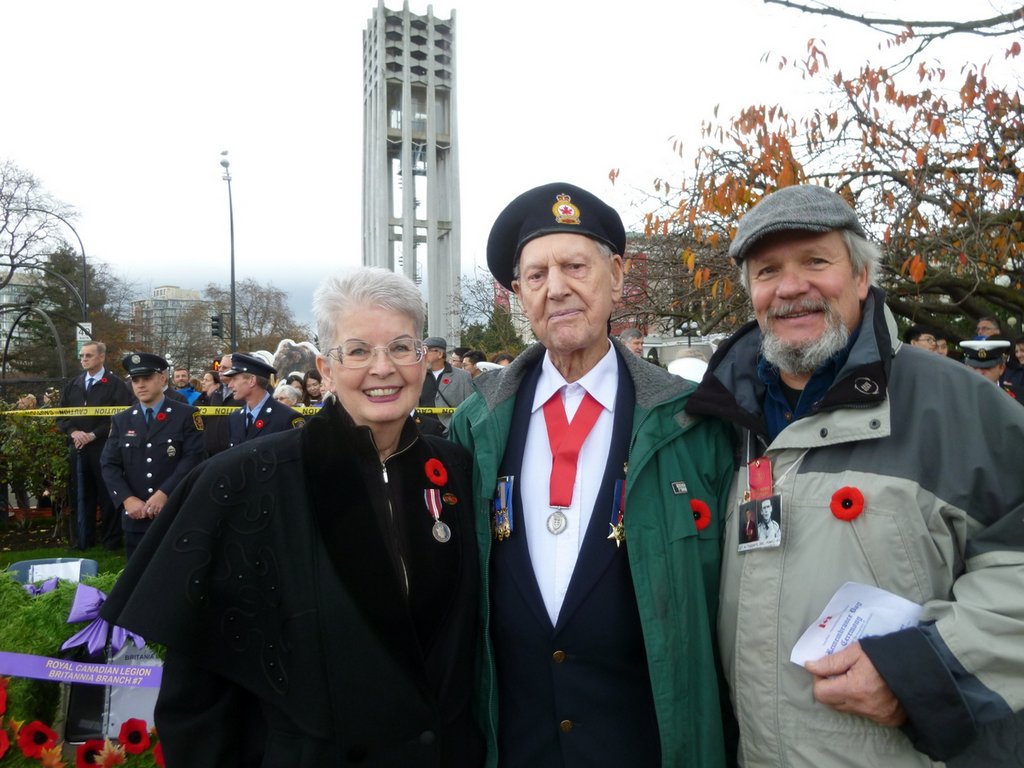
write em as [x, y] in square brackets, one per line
[317, 589]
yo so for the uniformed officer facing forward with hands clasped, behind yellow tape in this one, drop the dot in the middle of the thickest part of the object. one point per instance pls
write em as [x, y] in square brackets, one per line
[152, 446]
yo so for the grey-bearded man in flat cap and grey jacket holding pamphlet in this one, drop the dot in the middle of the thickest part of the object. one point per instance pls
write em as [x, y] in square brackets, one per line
[886, 466]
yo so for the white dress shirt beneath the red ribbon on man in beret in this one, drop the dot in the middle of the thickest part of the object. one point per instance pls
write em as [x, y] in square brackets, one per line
[554, 558]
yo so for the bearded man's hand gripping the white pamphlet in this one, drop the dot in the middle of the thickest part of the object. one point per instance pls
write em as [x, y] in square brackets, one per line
[848, 682]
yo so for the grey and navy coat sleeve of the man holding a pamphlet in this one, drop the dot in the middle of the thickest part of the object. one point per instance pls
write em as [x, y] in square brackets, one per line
[963, 669]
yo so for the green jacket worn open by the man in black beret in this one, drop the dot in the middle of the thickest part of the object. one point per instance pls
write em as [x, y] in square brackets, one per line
[673, 460]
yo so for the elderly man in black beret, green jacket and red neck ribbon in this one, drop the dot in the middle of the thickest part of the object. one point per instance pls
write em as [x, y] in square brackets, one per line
[601, 505]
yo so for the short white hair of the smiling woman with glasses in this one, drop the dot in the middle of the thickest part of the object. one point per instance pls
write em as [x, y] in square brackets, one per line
[366, 287]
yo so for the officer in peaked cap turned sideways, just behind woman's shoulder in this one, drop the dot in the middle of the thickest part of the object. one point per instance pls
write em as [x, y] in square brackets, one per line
[249, 379]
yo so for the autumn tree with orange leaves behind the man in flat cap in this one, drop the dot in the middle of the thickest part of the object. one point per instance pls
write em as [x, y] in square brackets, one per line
[930, 157]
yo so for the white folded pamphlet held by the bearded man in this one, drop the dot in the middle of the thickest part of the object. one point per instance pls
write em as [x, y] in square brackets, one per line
[856, 611]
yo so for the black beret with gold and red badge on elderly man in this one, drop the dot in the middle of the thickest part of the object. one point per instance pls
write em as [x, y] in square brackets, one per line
[546, 210]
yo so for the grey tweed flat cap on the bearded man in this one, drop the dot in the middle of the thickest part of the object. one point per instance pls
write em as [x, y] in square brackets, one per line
[809, 209]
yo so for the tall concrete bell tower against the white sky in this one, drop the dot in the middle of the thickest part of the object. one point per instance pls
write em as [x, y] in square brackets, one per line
[411, 158]
